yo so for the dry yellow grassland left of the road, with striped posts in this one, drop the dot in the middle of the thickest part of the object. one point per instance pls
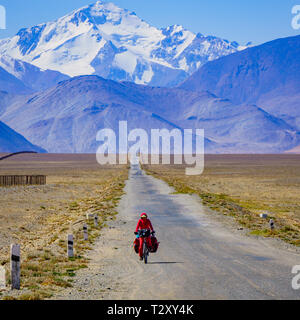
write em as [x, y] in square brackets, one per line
[40, 217]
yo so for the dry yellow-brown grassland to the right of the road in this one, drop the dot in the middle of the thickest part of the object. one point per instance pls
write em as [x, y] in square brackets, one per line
[244, 186]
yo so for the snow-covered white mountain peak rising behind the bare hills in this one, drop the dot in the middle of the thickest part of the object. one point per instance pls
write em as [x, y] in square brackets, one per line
[114, 43]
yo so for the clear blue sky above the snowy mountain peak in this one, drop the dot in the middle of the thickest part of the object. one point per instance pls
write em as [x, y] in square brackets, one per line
[240, 20]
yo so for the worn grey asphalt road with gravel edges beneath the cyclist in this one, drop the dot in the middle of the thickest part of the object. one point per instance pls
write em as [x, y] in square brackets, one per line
[199, 257]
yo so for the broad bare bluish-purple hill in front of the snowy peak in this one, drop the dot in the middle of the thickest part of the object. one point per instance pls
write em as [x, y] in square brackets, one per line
[67, 117]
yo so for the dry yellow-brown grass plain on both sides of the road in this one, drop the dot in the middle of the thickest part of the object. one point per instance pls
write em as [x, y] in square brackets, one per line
[238, 187]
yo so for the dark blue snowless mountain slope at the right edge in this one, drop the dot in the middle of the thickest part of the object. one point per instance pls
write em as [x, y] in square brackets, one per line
[267, 75]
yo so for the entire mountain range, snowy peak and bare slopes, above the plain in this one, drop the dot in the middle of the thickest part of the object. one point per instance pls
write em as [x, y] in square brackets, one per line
[62, 81]
